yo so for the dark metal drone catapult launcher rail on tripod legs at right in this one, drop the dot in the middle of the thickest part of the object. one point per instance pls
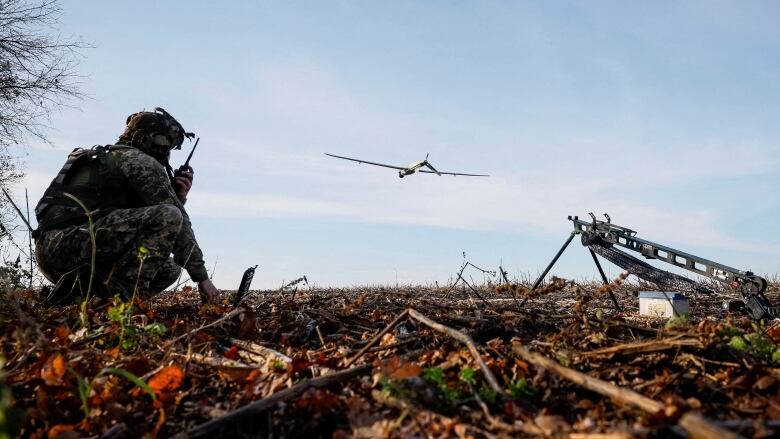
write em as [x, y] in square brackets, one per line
[608, 241]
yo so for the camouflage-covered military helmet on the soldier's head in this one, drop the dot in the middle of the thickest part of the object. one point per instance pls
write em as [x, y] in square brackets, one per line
[155, 133]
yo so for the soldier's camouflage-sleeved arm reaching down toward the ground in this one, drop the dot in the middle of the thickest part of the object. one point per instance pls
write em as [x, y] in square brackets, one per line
[148, 179]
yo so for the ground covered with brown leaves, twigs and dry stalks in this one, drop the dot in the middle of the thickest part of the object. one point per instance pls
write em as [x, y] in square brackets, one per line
[458, 361]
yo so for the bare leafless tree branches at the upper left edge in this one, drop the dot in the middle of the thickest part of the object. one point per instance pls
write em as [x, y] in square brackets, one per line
[37, 76]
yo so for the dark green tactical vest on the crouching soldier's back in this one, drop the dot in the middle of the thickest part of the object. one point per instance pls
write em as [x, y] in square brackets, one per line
[90, 176]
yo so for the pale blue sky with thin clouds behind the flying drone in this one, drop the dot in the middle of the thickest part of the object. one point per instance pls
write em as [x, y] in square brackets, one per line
[663, 114]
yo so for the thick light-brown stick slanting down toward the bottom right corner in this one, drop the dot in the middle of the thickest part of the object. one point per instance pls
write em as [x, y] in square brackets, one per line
[695, 424]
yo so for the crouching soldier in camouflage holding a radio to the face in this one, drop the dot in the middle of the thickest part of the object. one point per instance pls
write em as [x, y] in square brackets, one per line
[136, 205]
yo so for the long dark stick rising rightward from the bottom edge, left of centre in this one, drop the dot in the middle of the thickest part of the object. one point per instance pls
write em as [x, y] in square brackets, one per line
[213, 427]
